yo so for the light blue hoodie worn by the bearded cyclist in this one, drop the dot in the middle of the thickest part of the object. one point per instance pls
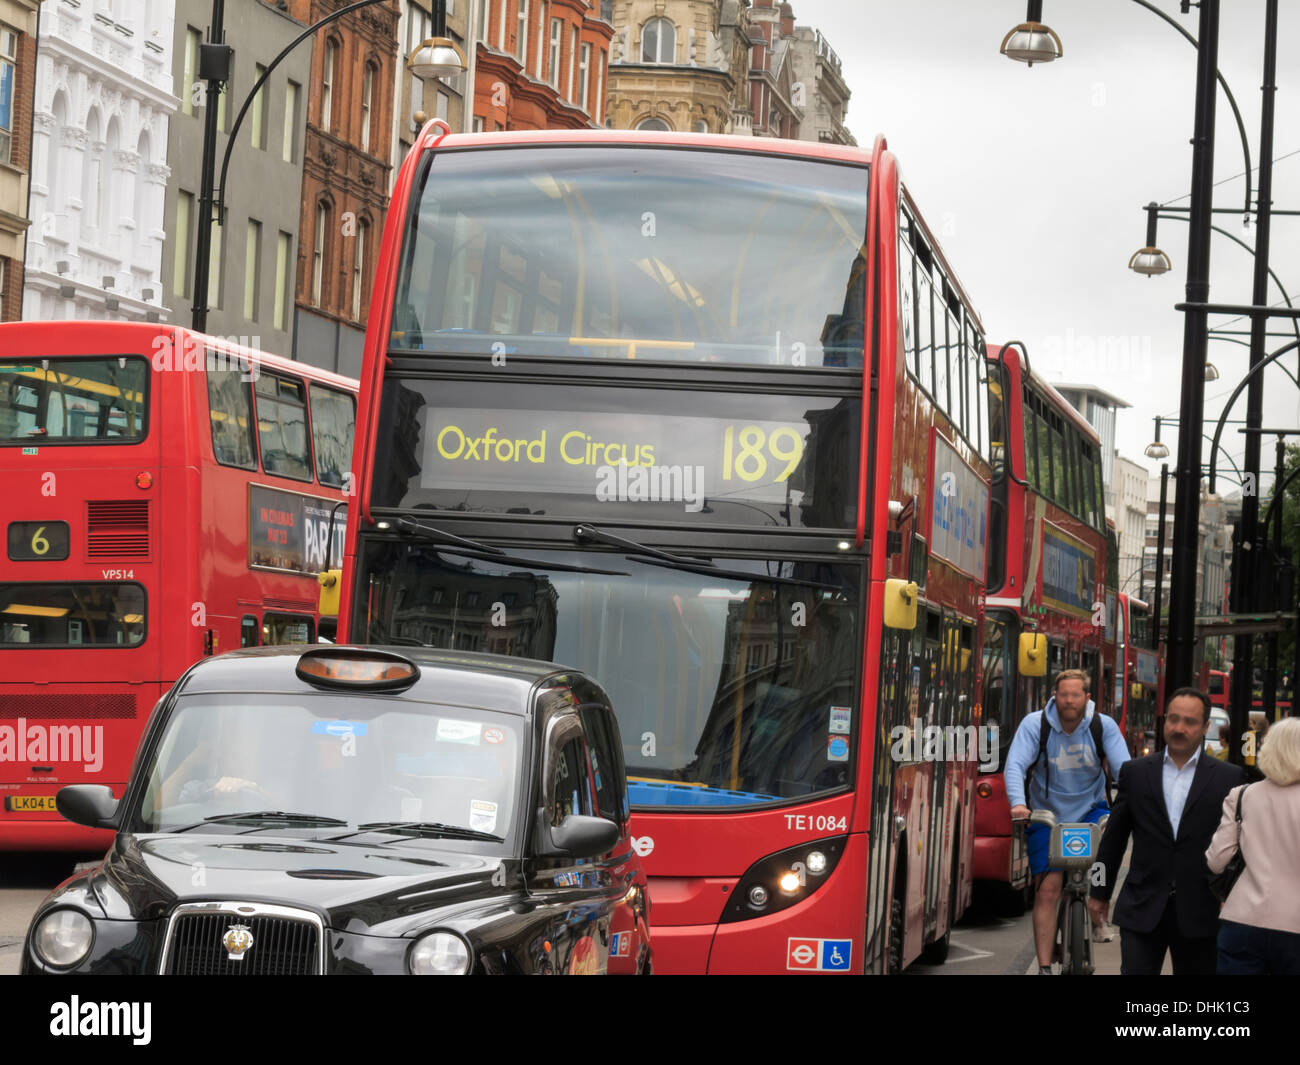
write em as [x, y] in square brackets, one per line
[1077, 782]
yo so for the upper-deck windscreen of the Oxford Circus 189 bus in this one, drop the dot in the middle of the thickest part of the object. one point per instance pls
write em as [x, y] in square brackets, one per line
[653, 254]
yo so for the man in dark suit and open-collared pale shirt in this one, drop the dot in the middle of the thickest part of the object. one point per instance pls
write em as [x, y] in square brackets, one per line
[1171, 803]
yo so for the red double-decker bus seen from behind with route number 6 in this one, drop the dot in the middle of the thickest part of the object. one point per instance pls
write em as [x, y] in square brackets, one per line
[168, 496]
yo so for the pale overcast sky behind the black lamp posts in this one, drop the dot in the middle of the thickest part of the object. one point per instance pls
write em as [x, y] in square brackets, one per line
[1035, 180]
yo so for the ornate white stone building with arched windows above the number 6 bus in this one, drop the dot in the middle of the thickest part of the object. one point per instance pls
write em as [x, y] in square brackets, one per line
[99, 174]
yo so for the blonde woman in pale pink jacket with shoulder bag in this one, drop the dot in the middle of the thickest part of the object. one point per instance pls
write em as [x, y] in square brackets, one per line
[1260, 924]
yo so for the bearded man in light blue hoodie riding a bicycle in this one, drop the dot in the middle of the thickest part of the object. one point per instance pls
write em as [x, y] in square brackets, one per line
[1061, 767]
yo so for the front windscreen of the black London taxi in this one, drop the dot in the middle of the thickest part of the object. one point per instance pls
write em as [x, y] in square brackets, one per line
[361, 761]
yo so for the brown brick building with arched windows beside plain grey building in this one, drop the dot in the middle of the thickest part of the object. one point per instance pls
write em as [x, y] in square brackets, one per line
[346, 177]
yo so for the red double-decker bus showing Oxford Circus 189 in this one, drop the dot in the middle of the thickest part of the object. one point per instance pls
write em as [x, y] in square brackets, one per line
[705, 417]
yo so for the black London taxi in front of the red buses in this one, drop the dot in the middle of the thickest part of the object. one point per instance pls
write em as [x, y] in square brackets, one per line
[361, 811]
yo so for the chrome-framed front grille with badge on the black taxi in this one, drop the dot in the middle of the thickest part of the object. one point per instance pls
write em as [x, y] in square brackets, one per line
[281, 947]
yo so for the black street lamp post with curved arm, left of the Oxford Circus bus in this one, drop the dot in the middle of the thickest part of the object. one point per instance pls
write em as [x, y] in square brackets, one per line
[436, 58]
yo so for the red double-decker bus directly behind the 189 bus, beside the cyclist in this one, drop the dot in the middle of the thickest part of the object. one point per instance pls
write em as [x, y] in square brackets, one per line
[1047, 601]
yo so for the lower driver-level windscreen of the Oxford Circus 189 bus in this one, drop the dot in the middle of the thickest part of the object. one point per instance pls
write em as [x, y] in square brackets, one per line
[729, 692]
